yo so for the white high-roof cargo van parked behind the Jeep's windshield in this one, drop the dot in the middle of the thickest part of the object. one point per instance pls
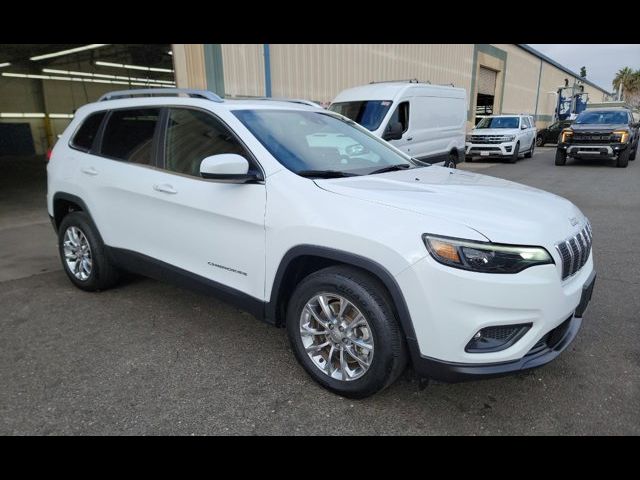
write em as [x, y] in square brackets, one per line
[425, 121]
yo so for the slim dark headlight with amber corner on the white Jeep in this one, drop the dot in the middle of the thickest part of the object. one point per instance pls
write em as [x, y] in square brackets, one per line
[484, 256]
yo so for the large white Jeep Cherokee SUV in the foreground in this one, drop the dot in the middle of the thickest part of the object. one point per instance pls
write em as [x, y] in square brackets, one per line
[309, 221]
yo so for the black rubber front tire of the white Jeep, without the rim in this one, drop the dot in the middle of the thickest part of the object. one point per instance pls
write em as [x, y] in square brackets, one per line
[368, 295]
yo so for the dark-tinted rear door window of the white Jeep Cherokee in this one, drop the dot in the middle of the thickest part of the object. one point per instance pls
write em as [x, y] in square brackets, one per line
[128, 135]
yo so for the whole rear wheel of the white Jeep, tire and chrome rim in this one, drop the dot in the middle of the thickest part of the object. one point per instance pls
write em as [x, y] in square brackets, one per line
[83, 254]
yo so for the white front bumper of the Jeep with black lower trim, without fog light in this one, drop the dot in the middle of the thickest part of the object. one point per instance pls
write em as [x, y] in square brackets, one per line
[448, 306]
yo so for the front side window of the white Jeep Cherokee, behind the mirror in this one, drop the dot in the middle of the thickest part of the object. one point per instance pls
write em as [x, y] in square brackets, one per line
[193, 135]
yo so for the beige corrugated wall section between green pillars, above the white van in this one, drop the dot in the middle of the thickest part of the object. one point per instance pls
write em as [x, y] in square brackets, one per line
[320, 71]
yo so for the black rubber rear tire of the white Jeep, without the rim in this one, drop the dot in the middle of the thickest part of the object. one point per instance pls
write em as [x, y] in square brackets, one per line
[103, 274]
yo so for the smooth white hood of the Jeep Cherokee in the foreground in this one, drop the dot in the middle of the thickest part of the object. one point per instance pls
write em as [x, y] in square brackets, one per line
[503, 211]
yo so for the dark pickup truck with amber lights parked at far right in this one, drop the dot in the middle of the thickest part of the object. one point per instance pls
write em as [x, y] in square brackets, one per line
[610, 133]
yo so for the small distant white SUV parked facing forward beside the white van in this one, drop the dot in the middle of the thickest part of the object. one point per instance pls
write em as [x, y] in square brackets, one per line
[506, 136]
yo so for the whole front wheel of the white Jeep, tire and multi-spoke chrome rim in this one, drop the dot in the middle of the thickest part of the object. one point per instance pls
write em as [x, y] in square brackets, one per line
[343, 332]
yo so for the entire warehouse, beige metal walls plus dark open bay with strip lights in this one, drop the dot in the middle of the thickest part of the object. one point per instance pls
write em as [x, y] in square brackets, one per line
[41, 86]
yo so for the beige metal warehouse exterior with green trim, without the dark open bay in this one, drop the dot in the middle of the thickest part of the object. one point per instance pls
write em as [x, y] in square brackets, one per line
[498, 78]
